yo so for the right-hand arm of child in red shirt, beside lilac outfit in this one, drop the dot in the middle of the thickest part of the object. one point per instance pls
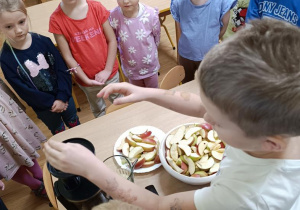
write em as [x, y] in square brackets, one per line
[103, 75]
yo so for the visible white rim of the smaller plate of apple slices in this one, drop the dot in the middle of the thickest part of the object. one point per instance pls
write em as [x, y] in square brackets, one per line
[155, 131]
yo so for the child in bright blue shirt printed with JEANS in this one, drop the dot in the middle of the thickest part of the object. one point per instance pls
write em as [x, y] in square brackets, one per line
[288, 11]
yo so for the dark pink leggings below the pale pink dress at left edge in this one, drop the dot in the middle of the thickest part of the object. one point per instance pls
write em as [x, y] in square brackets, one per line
[24, 177]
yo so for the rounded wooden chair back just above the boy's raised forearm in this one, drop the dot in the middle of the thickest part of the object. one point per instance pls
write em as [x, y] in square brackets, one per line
[173, 78]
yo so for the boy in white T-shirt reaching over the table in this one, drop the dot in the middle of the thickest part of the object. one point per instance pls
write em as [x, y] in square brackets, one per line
[250, 94]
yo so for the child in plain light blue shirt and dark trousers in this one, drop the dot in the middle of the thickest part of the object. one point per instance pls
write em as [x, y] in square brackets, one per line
[201, 23]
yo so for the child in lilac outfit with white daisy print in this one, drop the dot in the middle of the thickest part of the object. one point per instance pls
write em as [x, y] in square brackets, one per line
[137, 29]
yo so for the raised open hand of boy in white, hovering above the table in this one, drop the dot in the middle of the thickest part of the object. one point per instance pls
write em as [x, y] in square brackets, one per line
[131, 92]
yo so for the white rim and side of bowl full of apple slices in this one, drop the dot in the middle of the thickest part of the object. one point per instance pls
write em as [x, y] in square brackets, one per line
[175, 174]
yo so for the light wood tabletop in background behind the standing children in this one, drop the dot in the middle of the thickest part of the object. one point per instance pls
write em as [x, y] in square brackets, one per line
[40, 14]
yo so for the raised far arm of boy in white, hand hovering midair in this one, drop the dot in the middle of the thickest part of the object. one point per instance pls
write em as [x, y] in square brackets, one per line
[182, 102]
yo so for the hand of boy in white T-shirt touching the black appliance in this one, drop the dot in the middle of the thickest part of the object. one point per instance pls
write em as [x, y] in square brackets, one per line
[69, 157]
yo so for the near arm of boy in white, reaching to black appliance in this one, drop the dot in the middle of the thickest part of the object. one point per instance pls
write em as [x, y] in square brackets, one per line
[75, 159]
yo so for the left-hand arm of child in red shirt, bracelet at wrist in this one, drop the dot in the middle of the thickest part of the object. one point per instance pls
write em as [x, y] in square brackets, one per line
[71, 62]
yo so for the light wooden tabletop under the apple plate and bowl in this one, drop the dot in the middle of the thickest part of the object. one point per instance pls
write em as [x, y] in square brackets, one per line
[104, 131]
